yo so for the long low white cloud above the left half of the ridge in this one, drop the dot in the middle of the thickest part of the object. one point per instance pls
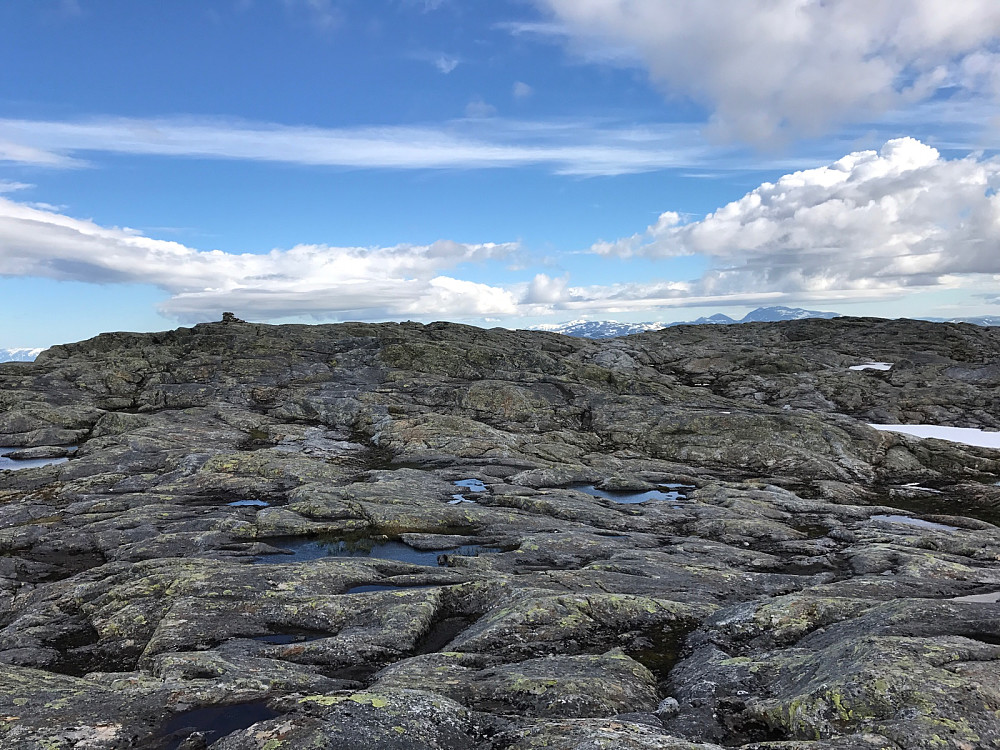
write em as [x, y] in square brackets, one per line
[331, 282]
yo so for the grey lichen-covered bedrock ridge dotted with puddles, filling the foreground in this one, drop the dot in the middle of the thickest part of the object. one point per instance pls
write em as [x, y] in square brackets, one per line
[440, 537]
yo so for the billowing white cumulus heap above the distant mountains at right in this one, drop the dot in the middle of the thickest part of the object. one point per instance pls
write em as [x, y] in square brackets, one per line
[872, 222]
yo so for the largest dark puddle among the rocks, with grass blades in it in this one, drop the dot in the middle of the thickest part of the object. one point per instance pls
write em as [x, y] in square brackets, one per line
[302, 550]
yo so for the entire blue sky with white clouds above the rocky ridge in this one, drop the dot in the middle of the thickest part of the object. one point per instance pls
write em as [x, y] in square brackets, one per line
[495, 162]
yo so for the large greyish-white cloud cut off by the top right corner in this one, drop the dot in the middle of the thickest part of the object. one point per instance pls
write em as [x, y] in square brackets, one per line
[773, 68]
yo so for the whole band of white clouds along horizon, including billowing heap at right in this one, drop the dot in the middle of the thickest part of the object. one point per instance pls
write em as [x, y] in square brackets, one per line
[901, 218]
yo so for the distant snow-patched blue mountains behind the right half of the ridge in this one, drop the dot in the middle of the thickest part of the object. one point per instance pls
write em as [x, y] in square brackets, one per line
[606, 329]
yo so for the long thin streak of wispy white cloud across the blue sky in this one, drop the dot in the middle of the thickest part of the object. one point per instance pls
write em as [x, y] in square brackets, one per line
[579, 147]
